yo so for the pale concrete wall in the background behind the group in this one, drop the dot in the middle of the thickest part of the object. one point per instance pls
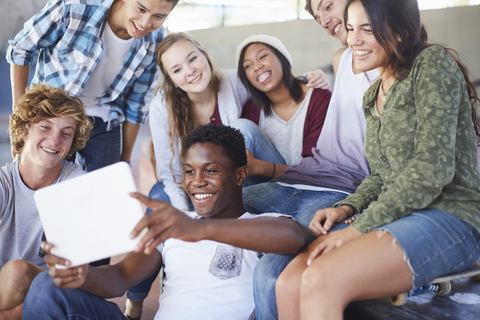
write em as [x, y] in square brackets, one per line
[307, 42]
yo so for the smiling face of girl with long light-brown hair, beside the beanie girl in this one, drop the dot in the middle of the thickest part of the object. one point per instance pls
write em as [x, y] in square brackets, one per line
[187, 67]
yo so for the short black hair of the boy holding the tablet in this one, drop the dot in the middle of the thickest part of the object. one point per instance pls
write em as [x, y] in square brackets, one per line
[230, 139]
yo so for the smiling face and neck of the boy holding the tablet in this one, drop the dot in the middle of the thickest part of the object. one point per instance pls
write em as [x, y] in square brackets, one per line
[212, 183]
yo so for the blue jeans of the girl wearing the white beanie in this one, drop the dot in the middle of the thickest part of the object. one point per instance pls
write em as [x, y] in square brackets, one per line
[258, 145]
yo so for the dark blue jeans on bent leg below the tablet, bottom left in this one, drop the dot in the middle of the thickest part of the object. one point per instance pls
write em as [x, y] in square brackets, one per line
[47, 301]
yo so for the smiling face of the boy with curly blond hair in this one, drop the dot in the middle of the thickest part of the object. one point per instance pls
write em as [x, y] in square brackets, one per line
[48, 142]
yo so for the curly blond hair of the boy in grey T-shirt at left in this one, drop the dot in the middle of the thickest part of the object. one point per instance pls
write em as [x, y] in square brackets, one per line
[43, 101]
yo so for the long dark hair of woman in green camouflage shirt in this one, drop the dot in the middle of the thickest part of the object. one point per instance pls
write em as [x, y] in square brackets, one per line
[403, 19]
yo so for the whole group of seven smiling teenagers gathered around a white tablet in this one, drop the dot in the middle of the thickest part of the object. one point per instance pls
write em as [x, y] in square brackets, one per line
[276, 198]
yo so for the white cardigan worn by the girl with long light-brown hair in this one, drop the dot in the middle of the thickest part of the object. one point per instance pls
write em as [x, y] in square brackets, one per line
[231, 98]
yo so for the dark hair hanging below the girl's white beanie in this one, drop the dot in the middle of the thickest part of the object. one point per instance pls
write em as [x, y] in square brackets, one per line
[260, 99]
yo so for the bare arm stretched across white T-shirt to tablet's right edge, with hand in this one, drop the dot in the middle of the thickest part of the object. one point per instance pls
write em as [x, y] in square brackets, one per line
[277, 235]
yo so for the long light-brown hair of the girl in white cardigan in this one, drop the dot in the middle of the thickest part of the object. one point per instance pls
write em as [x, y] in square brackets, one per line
[179, 105]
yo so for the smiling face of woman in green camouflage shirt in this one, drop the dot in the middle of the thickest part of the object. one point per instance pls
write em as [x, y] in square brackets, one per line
[367, 51]
